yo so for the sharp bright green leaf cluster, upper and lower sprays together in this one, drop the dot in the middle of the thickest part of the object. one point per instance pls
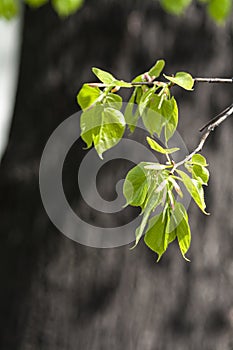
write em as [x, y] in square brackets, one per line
[154, 187]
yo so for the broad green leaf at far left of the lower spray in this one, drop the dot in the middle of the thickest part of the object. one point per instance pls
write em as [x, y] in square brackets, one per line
[136, 185]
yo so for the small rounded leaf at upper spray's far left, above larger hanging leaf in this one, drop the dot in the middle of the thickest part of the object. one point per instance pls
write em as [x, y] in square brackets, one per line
[88, 96]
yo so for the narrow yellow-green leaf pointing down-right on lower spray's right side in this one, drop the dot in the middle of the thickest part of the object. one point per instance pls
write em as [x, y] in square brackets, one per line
[195, 189]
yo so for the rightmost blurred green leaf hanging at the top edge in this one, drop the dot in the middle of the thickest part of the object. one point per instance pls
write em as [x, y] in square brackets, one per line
[219, 10]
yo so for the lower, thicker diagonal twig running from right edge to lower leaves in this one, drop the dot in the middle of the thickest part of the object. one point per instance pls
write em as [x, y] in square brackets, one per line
[215, 122]
